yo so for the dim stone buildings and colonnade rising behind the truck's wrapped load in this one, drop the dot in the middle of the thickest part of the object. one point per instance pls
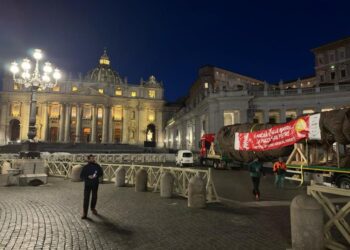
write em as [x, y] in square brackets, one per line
[220, 97]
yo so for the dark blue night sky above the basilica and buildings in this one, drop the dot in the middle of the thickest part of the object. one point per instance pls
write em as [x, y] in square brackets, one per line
[268, 40]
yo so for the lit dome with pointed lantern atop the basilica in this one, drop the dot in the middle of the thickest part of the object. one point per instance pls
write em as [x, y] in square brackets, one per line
[103, 72]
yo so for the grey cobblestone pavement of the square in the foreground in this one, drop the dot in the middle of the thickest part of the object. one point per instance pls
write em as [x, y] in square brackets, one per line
[48, 217]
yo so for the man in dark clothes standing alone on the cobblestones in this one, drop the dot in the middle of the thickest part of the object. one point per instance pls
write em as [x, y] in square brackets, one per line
[90, 175]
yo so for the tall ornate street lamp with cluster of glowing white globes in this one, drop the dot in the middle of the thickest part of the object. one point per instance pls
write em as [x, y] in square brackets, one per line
[34, 79]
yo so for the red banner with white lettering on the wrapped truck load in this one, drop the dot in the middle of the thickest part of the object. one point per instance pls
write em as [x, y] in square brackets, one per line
[275, 137]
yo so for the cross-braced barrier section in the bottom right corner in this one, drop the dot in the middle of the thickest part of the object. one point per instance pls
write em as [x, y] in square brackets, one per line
[336, 215]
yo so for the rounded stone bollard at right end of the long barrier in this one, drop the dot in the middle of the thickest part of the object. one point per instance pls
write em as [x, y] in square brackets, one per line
[196, 193]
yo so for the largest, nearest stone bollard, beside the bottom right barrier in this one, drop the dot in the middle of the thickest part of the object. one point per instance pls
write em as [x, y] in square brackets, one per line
[306, 223]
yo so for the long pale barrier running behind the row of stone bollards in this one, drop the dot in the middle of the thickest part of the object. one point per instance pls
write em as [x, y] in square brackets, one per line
[182, 176]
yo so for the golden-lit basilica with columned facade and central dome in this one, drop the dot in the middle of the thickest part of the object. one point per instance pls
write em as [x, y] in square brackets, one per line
[99, 108]
